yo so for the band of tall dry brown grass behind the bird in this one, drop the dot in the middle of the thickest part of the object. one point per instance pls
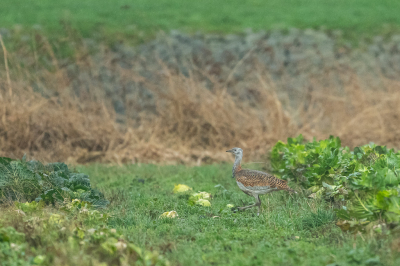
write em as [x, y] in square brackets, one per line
[193, 124]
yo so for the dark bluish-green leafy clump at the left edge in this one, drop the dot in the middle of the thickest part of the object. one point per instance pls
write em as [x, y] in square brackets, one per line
[32, 181]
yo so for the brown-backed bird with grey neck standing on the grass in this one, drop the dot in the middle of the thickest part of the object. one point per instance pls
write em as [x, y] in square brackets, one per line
[255, 183]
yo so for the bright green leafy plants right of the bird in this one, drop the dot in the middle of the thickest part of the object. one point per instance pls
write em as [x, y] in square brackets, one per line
[366, 179]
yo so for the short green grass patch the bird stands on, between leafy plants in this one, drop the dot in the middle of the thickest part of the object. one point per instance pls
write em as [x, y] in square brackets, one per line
[292, 229]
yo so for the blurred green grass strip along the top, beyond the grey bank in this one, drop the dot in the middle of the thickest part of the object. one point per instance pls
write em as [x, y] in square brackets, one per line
[143, 17]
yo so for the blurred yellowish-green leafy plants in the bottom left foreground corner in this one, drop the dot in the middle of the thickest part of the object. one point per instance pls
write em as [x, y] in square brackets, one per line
[75, 227]
